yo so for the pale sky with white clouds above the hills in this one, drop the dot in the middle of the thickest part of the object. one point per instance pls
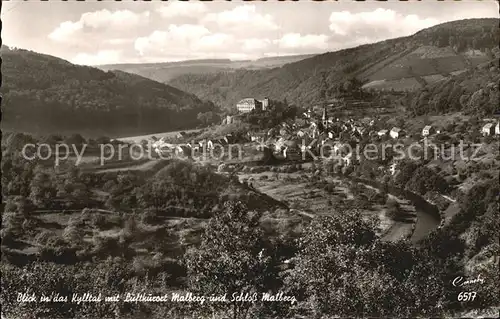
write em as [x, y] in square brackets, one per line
[109, 32]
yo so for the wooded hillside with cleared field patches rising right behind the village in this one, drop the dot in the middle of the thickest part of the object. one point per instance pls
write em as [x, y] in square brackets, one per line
[403, 64]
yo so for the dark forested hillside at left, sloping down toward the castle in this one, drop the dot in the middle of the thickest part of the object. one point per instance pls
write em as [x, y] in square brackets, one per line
[44, 94]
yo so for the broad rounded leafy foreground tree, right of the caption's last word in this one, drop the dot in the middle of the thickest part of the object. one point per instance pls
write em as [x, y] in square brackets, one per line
[336, 273]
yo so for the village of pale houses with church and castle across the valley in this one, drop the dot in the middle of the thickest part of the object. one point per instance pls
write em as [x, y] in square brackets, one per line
[314, 132]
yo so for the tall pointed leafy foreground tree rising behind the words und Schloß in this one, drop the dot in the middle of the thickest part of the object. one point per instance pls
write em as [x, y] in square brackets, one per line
[231, 259]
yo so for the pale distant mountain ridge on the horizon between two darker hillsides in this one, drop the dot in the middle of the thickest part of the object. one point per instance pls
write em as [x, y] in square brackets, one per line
[166, 71]
